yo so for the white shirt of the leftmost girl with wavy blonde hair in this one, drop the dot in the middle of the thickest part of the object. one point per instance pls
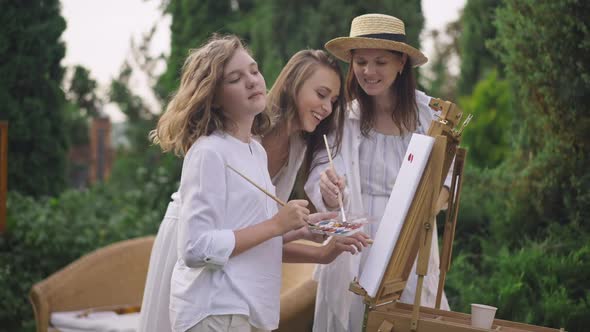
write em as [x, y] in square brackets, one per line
[215, 201]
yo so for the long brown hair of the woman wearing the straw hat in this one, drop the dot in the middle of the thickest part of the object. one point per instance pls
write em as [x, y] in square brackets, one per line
[405, 111]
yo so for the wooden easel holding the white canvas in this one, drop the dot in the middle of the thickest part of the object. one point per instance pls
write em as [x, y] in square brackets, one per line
[383, 312]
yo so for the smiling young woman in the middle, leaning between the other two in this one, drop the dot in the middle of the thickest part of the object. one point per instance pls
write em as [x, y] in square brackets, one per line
[304, 104]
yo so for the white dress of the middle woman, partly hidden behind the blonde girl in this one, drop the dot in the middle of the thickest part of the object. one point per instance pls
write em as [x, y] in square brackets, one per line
[155, 314]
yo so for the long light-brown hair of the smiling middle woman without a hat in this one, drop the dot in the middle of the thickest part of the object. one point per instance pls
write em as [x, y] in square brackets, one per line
[282, 100]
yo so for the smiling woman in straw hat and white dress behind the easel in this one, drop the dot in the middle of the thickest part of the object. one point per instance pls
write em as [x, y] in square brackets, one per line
[384, 110]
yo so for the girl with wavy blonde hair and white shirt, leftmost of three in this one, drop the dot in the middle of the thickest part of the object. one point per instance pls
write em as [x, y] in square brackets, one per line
[228, 274]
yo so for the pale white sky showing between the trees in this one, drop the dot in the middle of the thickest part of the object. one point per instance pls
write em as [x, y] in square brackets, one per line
[99, 33]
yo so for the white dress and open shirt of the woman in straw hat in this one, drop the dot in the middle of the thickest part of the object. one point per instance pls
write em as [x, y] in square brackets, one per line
[369, 181]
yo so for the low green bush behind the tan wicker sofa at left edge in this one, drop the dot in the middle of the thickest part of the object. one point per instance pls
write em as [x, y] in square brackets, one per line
[46, 234]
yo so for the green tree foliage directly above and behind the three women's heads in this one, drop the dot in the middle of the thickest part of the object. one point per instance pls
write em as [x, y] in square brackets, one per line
[274, 30]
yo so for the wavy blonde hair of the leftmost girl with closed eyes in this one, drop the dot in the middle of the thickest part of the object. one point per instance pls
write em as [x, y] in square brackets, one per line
[190, 113]
